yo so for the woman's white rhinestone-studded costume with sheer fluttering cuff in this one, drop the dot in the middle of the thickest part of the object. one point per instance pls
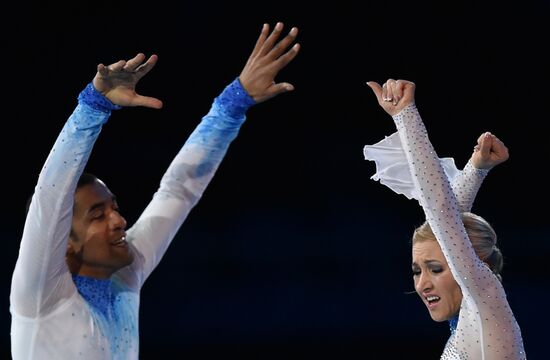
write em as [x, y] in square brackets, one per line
[407, 163]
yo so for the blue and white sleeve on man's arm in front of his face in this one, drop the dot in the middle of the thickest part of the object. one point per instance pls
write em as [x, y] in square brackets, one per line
[186, 179]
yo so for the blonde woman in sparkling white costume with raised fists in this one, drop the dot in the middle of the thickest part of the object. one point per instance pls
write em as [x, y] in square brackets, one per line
[456, 263]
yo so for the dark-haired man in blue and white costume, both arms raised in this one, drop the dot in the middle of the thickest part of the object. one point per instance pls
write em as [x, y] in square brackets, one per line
[76, 284]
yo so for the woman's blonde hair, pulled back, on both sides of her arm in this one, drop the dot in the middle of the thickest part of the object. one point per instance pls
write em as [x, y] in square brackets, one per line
[481, 234]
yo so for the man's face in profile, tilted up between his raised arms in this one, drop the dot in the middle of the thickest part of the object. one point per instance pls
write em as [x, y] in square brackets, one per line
[97, 243]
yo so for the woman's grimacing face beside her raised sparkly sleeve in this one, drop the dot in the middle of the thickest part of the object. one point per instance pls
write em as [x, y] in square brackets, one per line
[434, 282]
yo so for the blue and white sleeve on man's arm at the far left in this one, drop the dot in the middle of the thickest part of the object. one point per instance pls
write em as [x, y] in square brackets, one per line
[41, 278]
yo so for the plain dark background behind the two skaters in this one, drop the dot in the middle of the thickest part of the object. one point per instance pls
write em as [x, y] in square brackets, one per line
[293, 250]
